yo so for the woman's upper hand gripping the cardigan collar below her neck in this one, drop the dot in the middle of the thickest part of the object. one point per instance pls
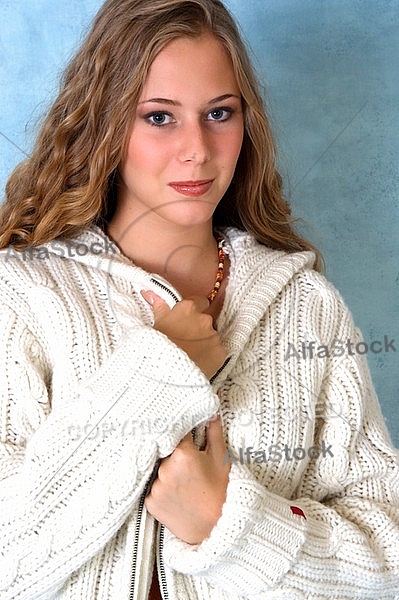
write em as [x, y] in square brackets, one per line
[191, 329]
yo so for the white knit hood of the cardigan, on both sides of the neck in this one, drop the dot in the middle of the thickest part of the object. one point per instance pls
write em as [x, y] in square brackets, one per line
[258, 274]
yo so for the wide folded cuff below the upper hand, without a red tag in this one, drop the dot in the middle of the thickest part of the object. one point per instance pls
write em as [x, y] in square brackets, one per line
[151, 388]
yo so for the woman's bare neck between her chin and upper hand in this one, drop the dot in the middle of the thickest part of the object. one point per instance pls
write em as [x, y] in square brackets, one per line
[185, 256]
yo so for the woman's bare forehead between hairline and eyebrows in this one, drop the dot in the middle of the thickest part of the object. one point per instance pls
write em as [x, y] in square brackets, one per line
[191, 65]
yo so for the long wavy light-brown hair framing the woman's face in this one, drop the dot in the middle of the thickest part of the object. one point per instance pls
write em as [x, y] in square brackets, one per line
[69, 180]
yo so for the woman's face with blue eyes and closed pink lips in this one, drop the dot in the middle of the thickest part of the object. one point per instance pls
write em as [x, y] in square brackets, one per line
[186, 135]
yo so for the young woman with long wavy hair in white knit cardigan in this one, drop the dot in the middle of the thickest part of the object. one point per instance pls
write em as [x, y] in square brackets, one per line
[150, 277]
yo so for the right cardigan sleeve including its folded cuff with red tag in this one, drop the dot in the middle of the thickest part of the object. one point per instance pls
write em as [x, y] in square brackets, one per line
[318, 544]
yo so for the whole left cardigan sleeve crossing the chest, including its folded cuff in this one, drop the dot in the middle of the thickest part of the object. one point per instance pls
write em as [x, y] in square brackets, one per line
[63, 498]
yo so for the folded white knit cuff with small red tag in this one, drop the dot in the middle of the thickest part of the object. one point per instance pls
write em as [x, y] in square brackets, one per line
[252, 546]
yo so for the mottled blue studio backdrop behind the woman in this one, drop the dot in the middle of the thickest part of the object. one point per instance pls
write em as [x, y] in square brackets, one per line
[322, 63]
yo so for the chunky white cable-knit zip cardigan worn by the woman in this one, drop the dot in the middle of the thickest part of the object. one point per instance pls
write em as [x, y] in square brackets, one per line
[78, 348]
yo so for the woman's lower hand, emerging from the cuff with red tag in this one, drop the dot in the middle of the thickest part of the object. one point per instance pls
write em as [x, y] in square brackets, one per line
[188, 494]
